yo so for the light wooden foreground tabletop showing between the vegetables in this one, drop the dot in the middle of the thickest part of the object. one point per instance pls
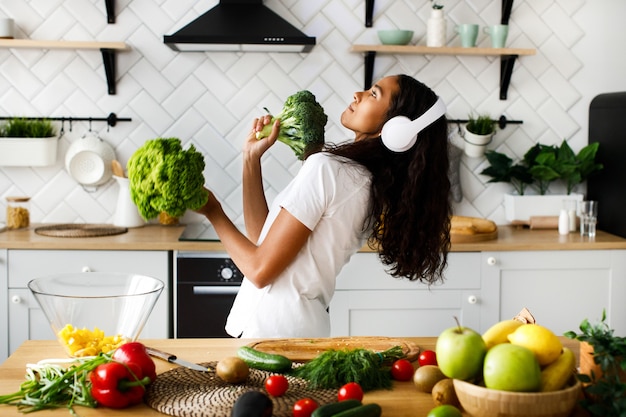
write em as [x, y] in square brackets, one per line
[402, 401]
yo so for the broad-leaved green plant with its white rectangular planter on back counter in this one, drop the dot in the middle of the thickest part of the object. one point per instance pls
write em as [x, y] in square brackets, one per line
[541, 166]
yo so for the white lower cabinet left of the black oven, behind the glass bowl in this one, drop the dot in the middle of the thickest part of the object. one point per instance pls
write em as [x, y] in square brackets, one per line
[27, 321]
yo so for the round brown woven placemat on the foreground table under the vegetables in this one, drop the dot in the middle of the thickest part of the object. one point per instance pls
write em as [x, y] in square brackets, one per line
[183, 392]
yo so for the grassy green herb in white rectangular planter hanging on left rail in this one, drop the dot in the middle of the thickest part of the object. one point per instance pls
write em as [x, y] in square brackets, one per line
[28, 142]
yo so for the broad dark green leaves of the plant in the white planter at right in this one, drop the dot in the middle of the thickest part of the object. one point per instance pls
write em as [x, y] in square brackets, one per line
[543, 164]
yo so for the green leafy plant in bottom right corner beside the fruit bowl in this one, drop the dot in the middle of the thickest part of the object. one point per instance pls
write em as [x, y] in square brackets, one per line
[605, 392]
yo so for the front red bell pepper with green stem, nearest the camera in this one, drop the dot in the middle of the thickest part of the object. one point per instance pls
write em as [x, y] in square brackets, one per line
[118, 385]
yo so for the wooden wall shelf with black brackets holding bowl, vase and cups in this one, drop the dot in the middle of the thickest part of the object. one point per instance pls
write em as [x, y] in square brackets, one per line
[507, 58]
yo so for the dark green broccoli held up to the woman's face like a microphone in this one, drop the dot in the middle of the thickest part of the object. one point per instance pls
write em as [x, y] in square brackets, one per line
[302, 122]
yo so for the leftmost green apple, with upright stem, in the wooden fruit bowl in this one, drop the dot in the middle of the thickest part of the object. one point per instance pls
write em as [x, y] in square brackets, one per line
[460, 352]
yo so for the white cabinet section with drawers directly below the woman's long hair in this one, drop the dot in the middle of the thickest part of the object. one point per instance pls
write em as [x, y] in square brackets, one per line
[369, 302]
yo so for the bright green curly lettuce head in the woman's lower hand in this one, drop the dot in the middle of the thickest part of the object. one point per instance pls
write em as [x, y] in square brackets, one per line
[165, 178]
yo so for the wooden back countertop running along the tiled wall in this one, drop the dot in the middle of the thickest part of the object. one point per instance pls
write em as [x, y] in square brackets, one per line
[157, 237]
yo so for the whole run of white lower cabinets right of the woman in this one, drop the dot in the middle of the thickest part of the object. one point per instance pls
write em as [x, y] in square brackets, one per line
[559, 287]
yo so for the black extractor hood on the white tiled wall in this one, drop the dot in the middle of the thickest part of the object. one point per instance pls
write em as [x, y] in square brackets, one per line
[240, 25]
